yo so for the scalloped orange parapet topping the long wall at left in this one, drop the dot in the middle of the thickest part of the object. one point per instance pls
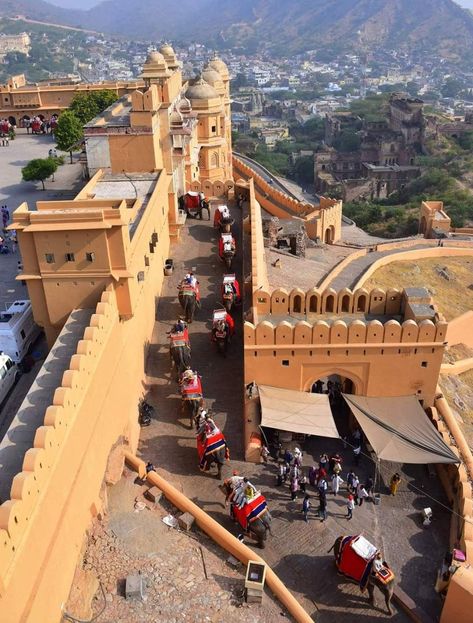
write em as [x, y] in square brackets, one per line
[52, 438]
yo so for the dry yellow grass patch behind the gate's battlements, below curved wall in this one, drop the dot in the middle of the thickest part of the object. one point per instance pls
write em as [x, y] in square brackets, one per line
[453, 298]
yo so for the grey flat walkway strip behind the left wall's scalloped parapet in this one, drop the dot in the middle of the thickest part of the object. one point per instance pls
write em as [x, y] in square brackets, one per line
[20, 436]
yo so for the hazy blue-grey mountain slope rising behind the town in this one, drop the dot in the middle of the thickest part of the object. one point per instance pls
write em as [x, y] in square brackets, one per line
[432, 26]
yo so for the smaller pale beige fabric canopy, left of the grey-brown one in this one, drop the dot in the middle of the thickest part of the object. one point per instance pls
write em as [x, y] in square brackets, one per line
[297, 412]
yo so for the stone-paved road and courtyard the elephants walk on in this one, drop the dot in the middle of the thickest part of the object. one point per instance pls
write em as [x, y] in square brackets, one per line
[298, 552]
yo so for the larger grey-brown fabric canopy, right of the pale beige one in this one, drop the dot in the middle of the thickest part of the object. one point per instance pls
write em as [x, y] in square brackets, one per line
[399, 430]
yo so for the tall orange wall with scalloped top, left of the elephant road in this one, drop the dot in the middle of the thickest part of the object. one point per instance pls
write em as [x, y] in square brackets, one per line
[93, 415]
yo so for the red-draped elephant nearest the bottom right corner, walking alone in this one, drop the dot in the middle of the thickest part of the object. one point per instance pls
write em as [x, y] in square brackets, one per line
[370, 571]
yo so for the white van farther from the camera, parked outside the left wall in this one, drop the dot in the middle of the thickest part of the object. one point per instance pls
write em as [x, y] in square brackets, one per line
[18, 330]
